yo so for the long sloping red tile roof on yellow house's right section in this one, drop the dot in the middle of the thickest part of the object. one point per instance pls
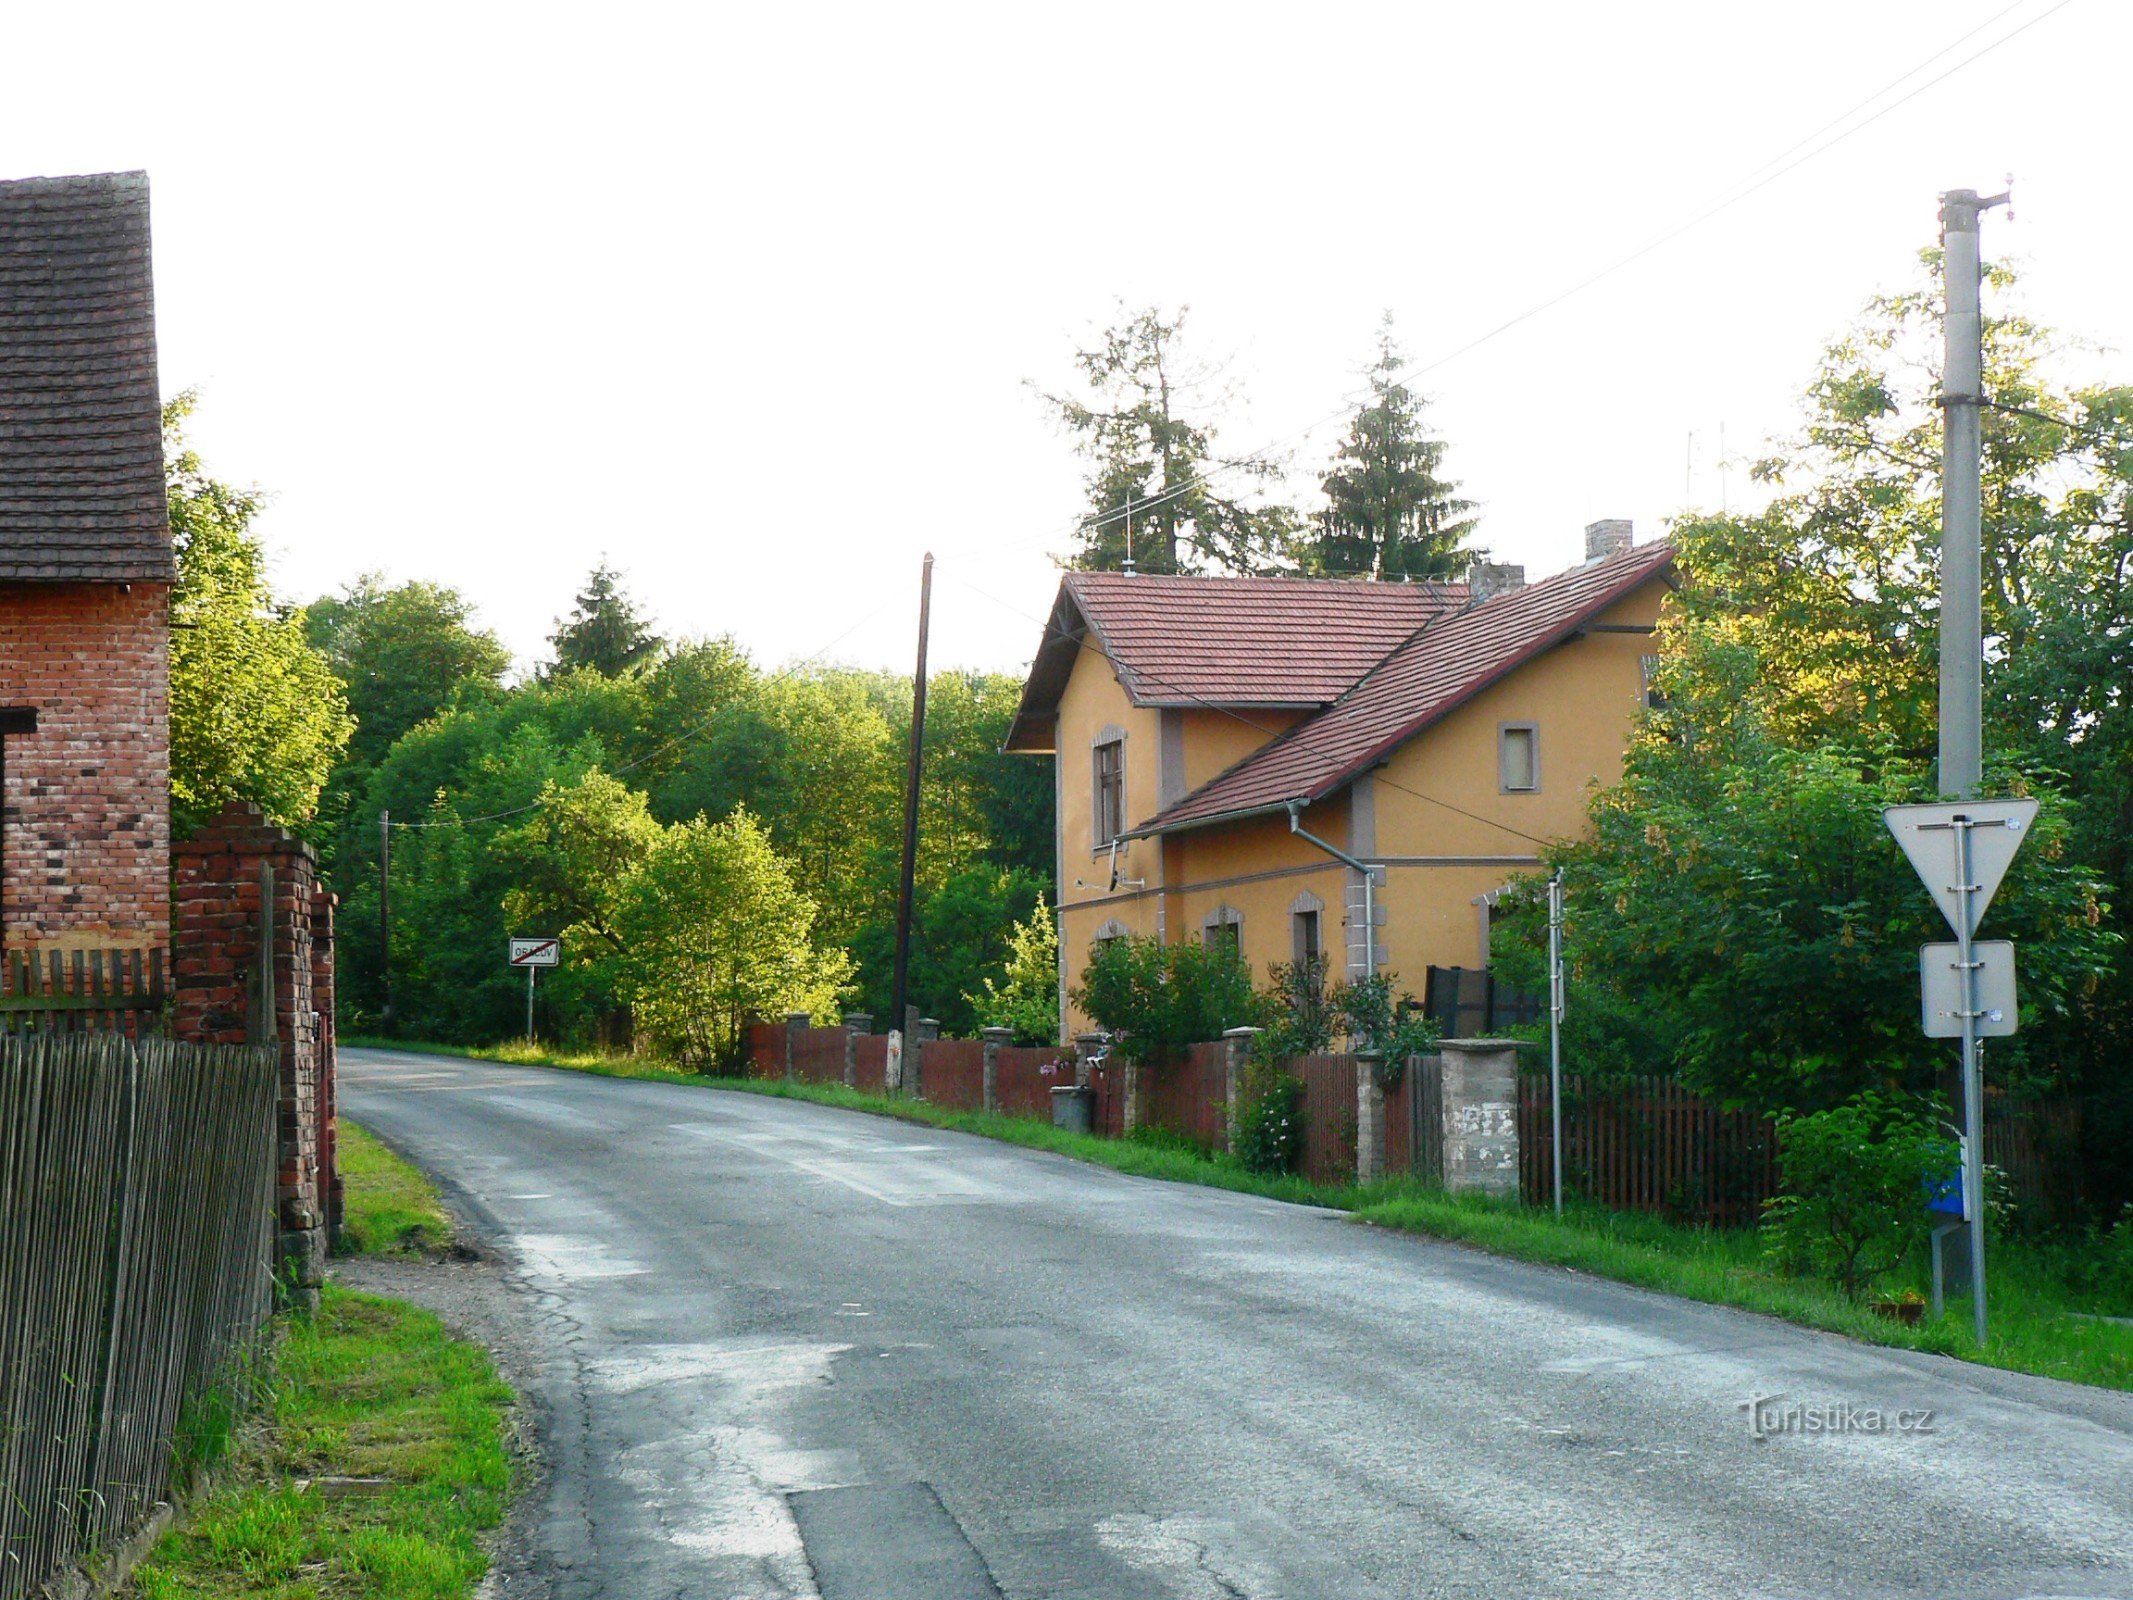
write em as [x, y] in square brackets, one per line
[1415, 686]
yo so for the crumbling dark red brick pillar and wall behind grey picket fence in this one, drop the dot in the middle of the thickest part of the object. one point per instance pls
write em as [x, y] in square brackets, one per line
[219, 972]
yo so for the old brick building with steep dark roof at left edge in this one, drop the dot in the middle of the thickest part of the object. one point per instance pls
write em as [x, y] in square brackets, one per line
[86, 573]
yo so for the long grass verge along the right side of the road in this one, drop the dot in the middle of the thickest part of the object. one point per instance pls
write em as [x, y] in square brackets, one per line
[2040, 1326]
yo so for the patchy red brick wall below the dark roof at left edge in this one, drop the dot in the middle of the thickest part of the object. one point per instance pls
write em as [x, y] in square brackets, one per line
[89, 795]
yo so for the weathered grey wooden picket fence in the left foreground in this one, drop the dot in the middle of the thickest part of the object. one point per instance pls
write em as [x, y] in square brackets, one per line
[138, 1185]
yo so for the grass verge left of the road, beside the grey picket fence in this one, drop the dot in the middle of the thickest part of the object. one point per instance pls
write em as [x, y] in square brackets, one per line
[376, 1460]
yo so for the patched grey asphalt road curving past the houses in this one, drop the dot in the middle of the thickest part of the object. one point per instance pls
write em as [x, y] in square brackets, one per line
[792, 1351]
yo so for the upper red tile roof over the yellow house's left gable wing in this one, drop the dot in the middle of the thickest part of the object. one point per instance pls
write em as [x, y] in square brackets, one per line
[1176, 641]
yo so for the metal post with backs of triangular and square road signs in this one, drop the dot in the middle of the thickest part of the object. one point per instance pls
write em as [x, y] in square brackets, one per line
[1961, 852]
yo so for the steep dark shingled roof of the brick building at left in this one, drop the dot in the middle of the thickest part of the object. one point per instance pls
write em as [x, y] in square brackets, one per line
[80, 411]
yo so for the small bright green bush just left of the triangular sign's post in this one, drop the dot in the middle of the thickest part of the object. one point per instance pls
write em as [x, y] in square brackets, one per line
[1855, 1202]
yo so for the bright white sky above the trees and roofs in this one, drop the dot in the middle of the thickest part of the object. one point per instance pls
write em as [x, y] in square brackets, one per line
[745, 298]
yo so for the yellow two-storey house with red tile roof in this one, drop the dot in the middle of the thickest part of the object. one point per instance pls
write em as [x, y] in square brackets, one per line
[1292, 763]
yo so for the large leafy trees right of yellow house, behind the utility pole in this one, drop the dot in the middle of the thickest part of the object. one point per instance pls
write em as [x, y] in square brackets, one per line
[1737, 914]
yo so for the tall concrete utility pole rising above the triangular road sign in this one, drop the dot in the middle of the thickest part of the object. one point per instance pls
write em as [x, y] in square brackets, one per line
[1961, 562]
